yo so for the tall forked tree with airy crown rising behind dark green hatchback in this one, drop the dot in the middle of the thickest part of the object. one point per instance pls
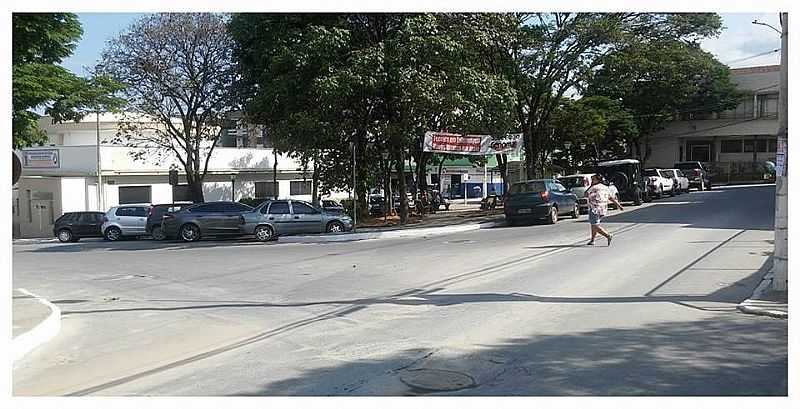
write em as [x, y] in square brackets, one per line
[546, 55]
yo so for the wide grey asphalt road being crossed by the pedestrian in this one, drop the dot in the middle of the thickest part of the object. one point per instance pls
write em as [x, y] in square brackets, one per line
[522, 310]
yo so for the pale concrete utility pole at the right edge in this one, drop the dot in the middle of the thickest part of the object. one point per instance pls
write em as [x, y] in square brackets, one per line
[781, 254]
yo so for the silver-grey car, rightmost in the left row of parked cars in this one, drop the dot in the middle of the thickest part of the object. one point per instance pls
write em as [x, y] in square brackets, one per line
[284, 217]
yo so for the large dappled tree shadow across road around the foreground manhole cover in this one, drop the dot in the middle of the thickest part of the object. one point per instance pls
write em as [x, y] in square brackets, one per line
[716, 356]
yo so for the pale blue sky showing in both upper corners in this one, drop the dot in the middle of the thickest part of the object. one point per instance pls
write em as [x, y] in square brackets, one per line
[738, 42]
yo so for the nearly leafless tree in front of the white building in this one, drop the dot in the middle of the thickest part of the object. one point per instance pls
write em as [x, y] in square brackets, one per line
[179, 74]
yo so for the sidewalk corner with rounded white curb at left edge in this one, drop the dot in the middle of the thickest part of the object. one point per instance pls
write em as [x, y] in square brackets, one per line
[34, 322]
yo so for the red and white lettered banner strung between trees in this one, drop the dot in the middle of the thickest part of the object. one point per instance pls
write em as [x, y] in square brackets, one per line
[443, 142]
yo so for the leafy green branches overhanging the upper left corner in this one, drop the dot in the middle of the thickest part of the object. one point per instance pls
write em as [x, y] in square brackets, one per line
[40, 42]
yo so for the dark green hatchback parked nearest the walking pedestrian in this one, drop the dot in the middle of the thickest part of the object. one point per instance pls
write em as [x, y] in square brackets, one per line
[539, 199]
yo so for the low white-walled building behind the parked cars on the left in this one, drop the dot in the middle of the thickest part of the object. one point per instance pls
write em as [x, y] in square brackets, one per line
[61, 176]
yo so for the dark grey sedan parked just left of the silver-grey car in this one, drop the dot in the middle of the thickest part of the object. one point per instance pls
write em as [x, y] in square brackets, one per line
[205, 219]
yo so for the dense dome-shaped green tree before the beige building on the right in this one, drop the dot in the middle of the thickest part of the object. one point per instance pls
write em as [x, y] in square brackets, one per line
[657, 81]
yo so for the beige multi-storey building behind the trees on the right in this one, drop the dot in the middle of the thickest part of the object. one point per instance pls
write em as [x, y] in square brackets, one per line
[734, 143]
